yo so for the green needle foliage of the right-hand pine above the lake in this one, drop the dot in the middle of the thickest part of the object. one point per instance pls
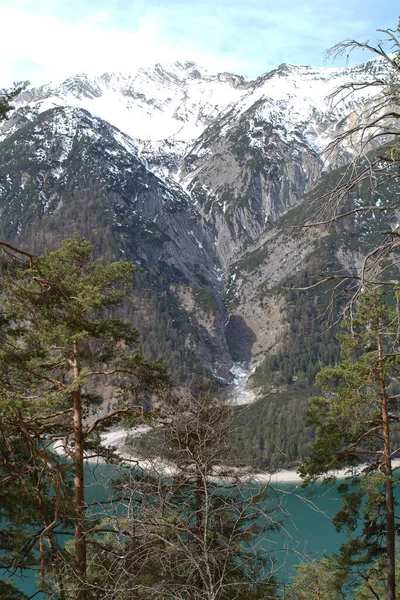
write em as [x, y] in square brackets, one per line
[349, 414]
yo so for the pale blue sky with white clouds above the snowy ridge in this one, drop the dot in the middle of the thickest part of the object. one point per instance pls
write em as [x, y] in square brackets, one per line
[50, 40]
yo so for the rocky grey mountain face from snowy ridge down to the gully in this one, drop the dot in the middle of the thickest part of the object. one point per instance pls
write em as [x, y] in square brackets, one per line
[189, 174]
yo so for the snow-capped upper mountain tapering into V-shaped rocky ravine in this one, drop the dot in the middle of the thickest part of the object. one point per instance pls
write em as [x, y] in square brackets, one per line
[227, 142]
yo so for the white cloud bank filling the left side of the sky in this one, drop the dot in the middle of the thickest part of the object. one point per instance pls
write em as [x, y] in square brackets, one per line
[42, 48]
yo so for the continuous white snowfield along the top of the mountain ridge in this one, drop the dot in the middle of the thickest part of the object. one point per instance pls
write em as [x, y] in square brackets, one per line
[176, 102]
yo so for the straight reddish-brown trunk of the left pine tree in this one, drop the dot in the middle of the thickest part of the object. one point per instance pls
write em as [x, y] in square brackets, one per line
[80, 535]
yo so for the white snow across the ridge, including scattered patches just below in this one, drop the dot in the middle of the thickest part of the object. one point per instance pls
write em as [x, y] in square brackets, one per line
[162, 114]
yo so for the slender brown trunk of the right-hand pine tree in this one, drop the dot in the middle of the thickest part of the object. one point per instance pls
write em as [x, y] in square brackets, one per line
[389, 501]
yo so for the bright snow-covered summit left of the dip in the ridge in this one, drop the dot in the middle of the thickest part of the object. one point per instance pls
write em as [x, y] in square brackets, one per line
[176, 102]
